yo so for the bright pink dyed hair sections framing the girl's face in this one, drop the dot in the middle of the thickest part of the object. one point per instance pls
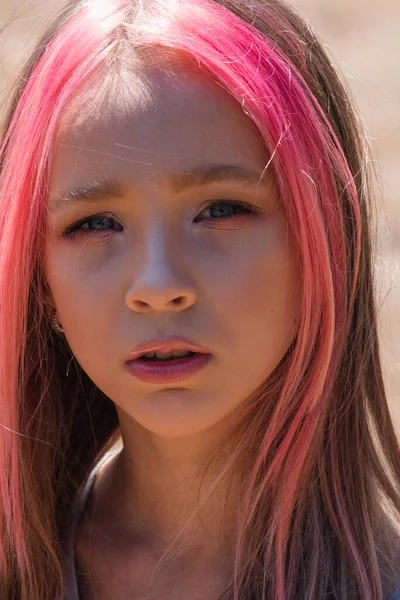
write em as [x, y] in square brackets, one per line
[313, 179]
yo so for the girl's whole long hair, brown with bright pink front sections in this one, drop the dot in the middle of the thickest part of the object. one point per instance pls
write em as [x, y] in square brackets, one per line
[319, 458]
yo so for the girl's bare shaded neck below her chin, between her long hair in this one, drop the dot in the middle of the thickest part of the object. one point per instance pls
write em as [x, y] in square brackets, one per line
[160, 488]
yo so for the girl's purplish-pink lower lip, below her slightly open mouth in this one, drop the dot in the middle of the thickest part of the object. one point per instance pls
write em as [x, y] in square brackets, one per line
[172, 371]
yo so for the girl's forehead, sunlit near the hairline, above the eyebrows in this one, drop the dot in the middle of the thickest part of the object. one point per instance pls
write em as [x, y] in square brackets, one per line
[141, 124]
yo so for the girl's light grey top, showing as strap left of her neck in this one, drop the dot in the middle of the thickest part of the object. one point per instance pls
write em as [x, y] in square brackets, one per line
[78, 506]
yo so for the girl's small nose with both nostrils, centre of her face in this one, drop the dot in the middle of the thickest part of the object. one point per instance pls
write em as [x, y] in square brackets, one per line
[161, 282]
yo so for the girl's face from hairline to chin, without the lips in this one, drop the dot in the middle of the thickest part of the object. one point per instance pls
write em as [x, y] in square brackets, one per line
[188, 244]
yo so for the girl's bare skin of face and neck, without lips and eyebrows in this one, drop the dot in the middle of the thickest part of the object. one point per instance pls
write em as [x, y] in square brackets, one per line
[237, 282]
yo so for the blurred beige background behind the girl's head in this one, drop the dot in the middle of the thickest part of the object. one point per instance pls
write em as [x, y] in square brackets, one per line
[362, 37]
